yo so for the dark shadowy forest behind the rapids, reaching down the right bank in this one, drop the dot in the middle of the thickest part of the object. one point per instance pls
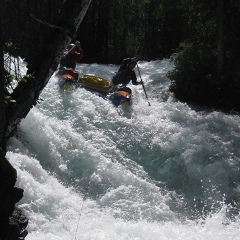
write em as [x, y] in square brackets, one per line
[205, 34]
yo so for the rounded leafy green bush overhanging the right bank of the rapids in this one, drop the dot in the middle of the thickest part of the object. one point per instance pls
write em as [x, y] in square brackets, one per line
[195, 73]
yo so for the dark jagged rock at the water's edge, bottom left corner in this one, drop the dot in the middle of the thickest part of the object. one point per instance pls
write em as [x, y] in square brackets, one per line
[13, 223]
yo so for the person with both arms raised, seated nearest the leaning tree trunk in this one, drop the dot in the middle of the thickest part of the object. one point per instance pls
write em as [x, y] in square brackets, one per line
[71, 56]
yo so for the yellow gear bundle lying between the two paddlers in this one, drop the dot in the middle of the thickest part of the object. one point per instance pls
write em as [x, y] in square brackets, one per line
[94, 82]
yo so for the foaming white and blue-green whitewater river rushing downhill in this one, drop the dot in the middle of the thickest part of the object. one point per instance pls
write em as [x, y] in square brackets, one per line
[92, 171]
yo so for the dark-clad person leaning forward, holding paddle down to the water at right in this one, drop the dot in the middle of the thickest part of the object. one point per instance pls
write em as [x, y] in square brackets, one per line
[125, 74]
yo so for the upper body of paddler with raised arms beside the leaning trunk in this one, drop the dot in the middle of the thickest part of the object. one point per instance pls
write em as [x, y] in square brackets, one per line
[71, 56]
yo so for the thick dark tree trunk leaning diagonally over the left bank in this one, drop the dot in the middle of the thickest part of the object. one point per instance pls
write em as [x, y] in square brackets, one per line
[42, 67]
